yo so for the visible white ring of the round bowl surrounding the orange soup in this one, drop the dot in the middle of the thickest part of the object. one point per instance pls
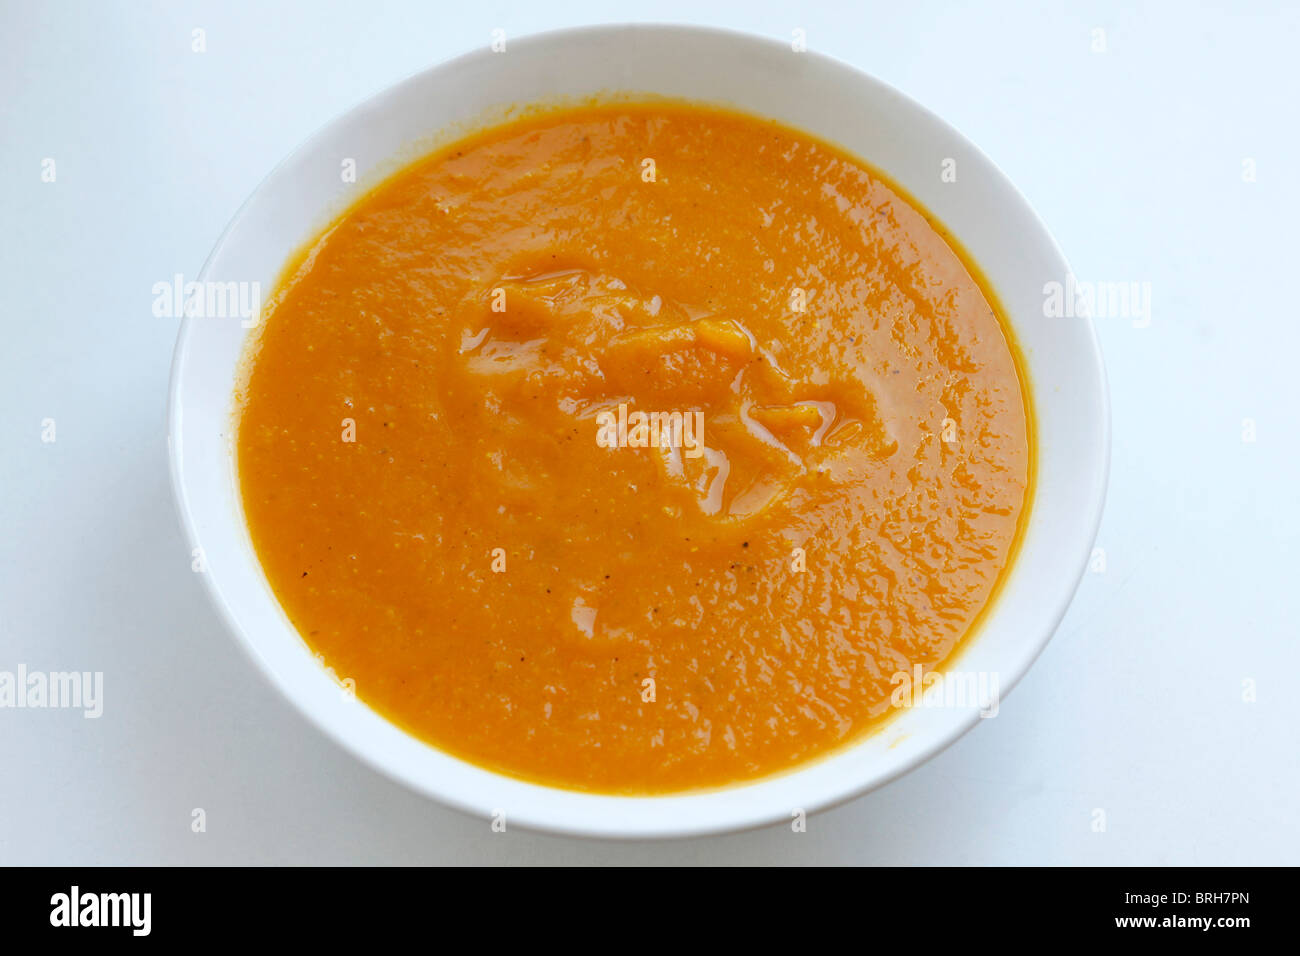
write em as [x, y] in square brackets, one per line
[804, 90]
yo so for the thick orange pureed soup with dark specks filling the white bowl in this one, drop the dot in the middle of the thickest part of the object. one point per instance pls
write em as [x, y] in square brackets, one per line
[634, 448]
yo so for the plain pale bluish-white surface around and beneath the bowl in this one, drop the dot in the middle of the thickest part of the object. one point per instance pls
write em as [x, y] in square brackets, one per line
[1134, 157]
